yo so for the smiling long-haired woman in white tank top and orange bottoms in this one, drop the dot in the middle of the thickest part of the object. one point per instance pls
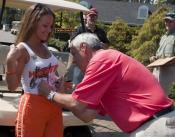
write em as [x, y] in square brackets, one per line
[30, 61]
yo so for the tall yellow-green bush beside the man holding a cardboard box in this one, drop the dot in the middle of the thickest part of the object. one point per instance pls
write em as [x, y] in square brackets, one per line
[145, 44]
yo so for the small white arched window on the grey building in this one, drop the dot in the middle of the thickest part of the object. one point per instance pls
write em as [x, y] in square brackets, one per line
[142, 12]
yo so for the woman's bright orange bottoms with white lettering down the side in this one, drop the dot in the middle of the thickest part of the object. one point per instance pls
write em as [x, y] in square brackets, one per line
[37, 117]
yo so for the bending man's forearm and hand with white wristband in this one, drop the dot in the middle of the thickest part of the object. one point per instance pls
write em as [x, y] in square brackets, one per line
[67, 101]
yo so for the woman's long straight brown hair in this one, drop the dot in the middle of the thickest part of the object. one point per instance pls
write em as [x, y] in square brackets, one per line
[30, 21]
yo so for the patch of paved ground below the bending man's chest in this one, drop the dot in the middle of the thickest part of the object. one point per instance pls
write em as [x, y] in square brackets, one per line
[104, 127]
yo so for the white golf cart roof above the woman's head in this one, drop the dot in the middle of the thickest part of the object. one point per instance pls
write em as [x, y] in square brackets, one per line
[53, 4]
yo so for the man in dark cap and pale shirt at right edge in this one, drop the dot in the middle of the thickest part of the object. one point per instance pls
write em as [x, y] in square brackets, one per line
[166, 74]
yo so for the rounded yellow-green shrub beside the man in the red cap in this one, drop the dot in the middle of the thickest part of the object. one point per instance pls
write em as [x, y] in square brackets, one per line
[120, 35]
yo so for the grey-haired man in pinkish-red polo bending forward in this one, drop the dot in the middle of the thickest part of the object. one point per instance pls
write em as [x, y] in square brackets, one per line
[137, 105]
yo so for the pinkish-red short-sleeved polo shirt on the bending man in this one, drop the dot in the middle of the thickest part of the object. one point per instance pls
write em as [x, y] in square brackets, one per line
[122, 87]
